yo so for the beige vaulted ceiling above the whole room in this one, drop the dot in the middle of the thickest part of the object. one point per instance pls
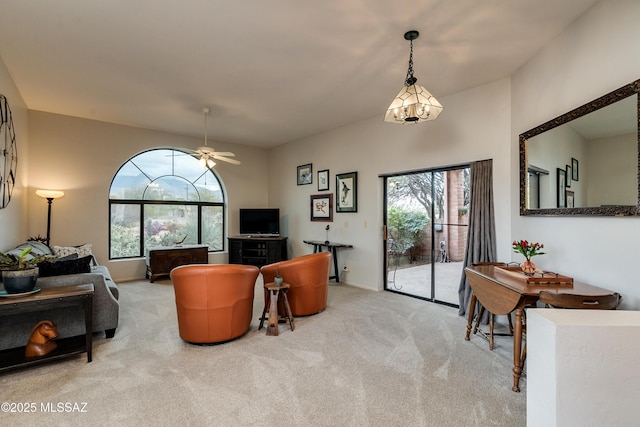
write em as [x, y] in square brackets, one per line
[270, 71]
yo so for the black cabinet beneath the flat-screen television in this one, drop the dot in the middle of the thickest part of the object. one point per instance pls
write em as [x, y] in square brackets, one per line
[257, 251]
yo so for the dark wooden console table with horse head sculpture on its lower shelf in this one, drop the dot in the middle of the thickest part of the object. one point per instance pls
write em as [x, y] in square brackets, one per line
[56, 297]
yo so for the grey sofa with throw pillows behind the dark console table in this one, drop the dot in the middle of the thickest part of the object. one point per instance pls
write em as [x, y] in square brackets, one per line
[16, 329]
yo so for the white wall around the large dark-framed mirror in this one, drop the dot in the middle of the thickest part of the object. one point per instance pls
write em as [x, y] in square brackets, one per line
[594, 56]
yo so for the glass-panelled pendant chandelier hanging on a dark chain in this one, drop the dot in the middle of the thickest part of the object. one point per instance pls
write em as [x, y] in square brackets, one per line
[413, 104]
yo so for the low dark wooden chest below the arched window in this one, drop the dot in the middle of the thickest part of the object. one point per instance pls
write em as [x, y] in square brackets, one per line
[162, 259]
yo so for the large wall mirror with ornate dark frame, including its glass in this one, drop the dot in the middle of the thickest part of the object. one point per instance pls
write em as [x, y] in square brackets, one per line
[585, 162]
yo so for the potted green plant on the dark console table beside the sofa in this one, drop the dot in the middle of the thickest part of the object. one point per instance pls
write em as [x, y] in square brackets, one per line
[19, 273]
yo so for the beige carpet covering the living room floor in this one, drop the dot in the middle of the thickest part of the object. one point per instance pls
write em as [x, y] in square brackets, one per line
[370, 359]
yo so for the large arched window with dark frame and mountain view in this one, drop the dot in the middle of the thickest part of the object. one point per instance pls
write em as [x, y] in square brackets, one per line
[163, 197]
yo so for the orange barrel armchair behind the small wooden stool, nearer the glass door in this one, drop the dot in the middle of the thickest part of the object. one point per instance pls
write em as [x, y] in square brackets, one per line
[308, 276]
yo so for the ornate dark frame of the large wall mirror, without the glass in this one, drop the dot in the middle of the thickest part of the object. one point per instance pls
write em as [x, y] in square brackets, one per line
[608, 99]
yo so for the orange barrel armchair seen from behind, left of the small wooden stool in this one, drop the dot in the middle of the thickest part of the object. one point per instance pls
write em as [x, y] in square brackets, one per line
[214, 301]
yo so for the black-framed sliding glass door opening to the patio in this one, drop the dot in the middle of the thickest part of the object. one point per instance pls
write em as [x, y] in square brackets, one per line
[426, 221]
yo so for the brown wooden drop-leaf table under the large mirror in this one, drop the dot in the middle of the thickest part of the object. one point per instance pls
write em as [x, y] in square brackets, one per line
[502, 295]
